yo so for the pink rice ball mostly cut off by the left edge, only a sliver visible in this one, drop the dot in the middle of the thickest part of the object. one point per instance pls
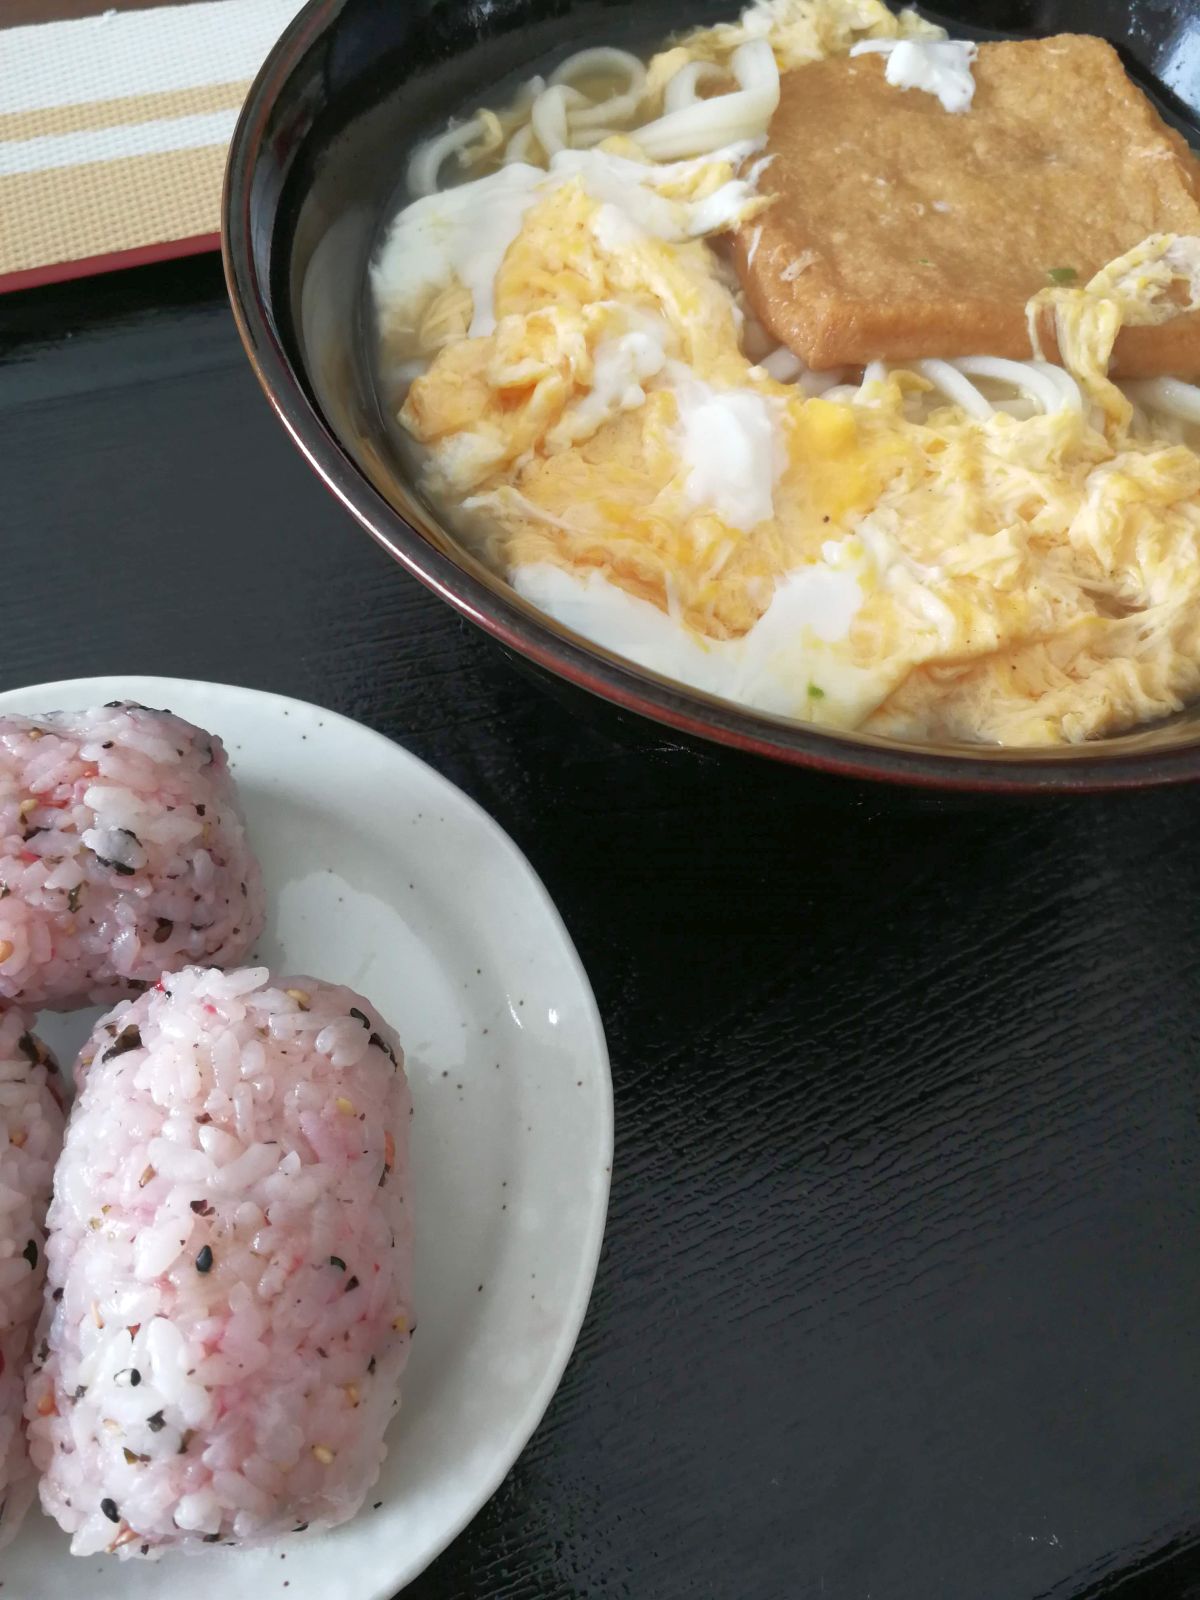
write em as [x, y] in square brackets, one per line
[31, 1134]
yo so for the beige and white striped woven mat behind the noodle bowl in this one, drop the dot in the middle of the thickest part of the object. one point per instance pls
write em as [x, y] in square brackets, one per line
[114, 127]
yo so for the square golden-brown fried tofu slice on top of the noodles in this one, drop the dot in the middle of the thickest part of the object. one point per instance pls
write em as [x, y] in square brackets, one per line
[903, 230]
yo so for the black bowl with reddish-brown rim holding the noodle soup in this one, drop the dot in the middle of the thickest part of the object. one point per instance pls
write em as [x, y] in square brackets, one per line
[313, 170]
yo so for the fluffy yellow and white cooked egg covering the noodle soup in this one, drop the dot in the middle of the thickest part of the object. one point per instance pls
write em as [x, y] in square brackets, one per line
[1015, 580]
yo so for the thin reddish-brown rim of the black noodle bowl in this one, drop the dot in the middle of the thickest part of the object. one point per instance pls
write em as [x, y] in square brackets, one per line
[498, 612]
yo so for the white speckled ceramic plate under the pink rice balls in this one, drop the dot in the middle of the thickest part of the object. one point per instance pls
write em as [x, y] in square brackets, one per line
[383, 876]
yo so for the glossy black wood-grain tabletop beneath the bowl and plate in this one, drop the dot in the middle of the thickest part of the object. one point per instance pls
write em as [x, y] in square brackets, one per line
[902, 1290]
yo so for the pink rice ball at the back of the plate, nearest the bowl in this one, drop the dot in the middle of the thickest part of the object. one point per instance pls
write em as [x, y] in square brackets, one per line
[122, 855]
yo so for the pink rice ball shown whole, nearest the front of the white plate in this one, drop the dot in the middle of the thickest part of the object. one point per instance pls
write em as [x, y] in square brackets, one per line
[231, 1239]
